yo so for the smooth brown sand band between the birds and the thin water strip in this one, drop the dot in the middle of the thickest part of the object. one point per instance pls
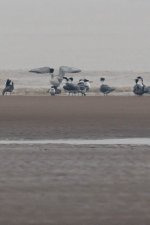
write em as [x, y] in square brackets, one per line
[74, 117]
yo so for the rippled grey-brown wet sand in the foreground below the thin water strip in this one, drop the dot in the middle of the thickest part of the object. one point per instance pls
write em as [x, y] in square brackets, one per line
[60, 185]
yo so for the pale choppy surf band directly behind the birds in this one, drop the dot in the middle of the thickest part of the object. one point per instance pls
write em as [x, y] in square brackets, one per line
[38, 84]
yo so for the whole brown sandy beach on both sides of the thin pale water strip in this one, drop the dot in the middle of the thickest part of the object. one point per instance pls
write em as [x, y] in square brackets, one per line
[67, 184]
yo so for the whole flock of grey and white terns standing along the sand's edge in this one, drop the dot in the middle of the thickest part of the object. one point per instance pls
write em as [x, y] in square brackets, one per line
[82, 87]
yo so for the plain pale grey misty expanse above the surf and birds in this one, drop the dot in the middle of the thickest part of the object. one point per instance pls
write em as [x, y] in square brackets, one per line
[89, 34]
